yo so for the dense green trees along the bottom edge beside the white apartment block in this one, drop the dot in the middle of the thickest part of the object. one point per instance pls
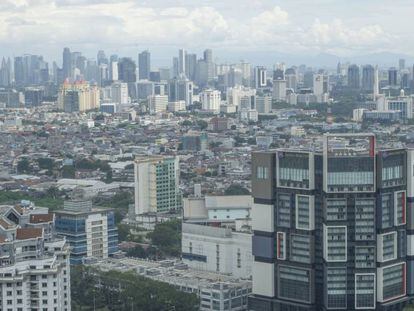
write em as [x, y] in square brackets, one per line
[114, 290]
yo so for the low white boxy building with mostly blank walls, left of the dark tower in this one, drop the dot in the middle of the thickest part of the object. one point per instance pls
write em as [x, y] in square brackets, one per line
[215, 249]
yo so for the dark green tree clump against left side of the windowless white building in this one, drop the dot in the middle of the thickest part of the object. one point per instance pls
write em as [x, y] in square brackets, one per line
[167, 237]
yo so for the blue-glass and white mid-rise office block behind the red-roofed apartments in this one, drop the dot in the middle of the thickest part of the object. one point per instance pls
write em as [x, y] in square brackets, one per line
[91, 232]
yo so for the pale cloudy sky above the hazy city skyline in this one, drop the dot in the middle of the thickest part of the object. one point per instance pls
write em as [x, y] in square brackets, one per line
[300, 27]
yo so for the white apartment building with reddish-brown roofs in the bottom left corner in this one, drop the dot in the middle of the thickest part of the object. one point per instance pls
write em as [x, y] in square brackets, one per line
[34, 264]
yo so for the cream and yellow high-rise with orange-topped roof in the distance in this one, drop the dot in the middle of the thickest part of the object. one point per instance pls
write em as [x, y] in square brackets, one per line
[78, 97]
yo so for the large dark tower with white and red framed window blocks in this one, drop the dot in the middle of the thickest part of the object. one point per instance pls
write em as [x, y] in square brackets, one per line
[332, 226]
